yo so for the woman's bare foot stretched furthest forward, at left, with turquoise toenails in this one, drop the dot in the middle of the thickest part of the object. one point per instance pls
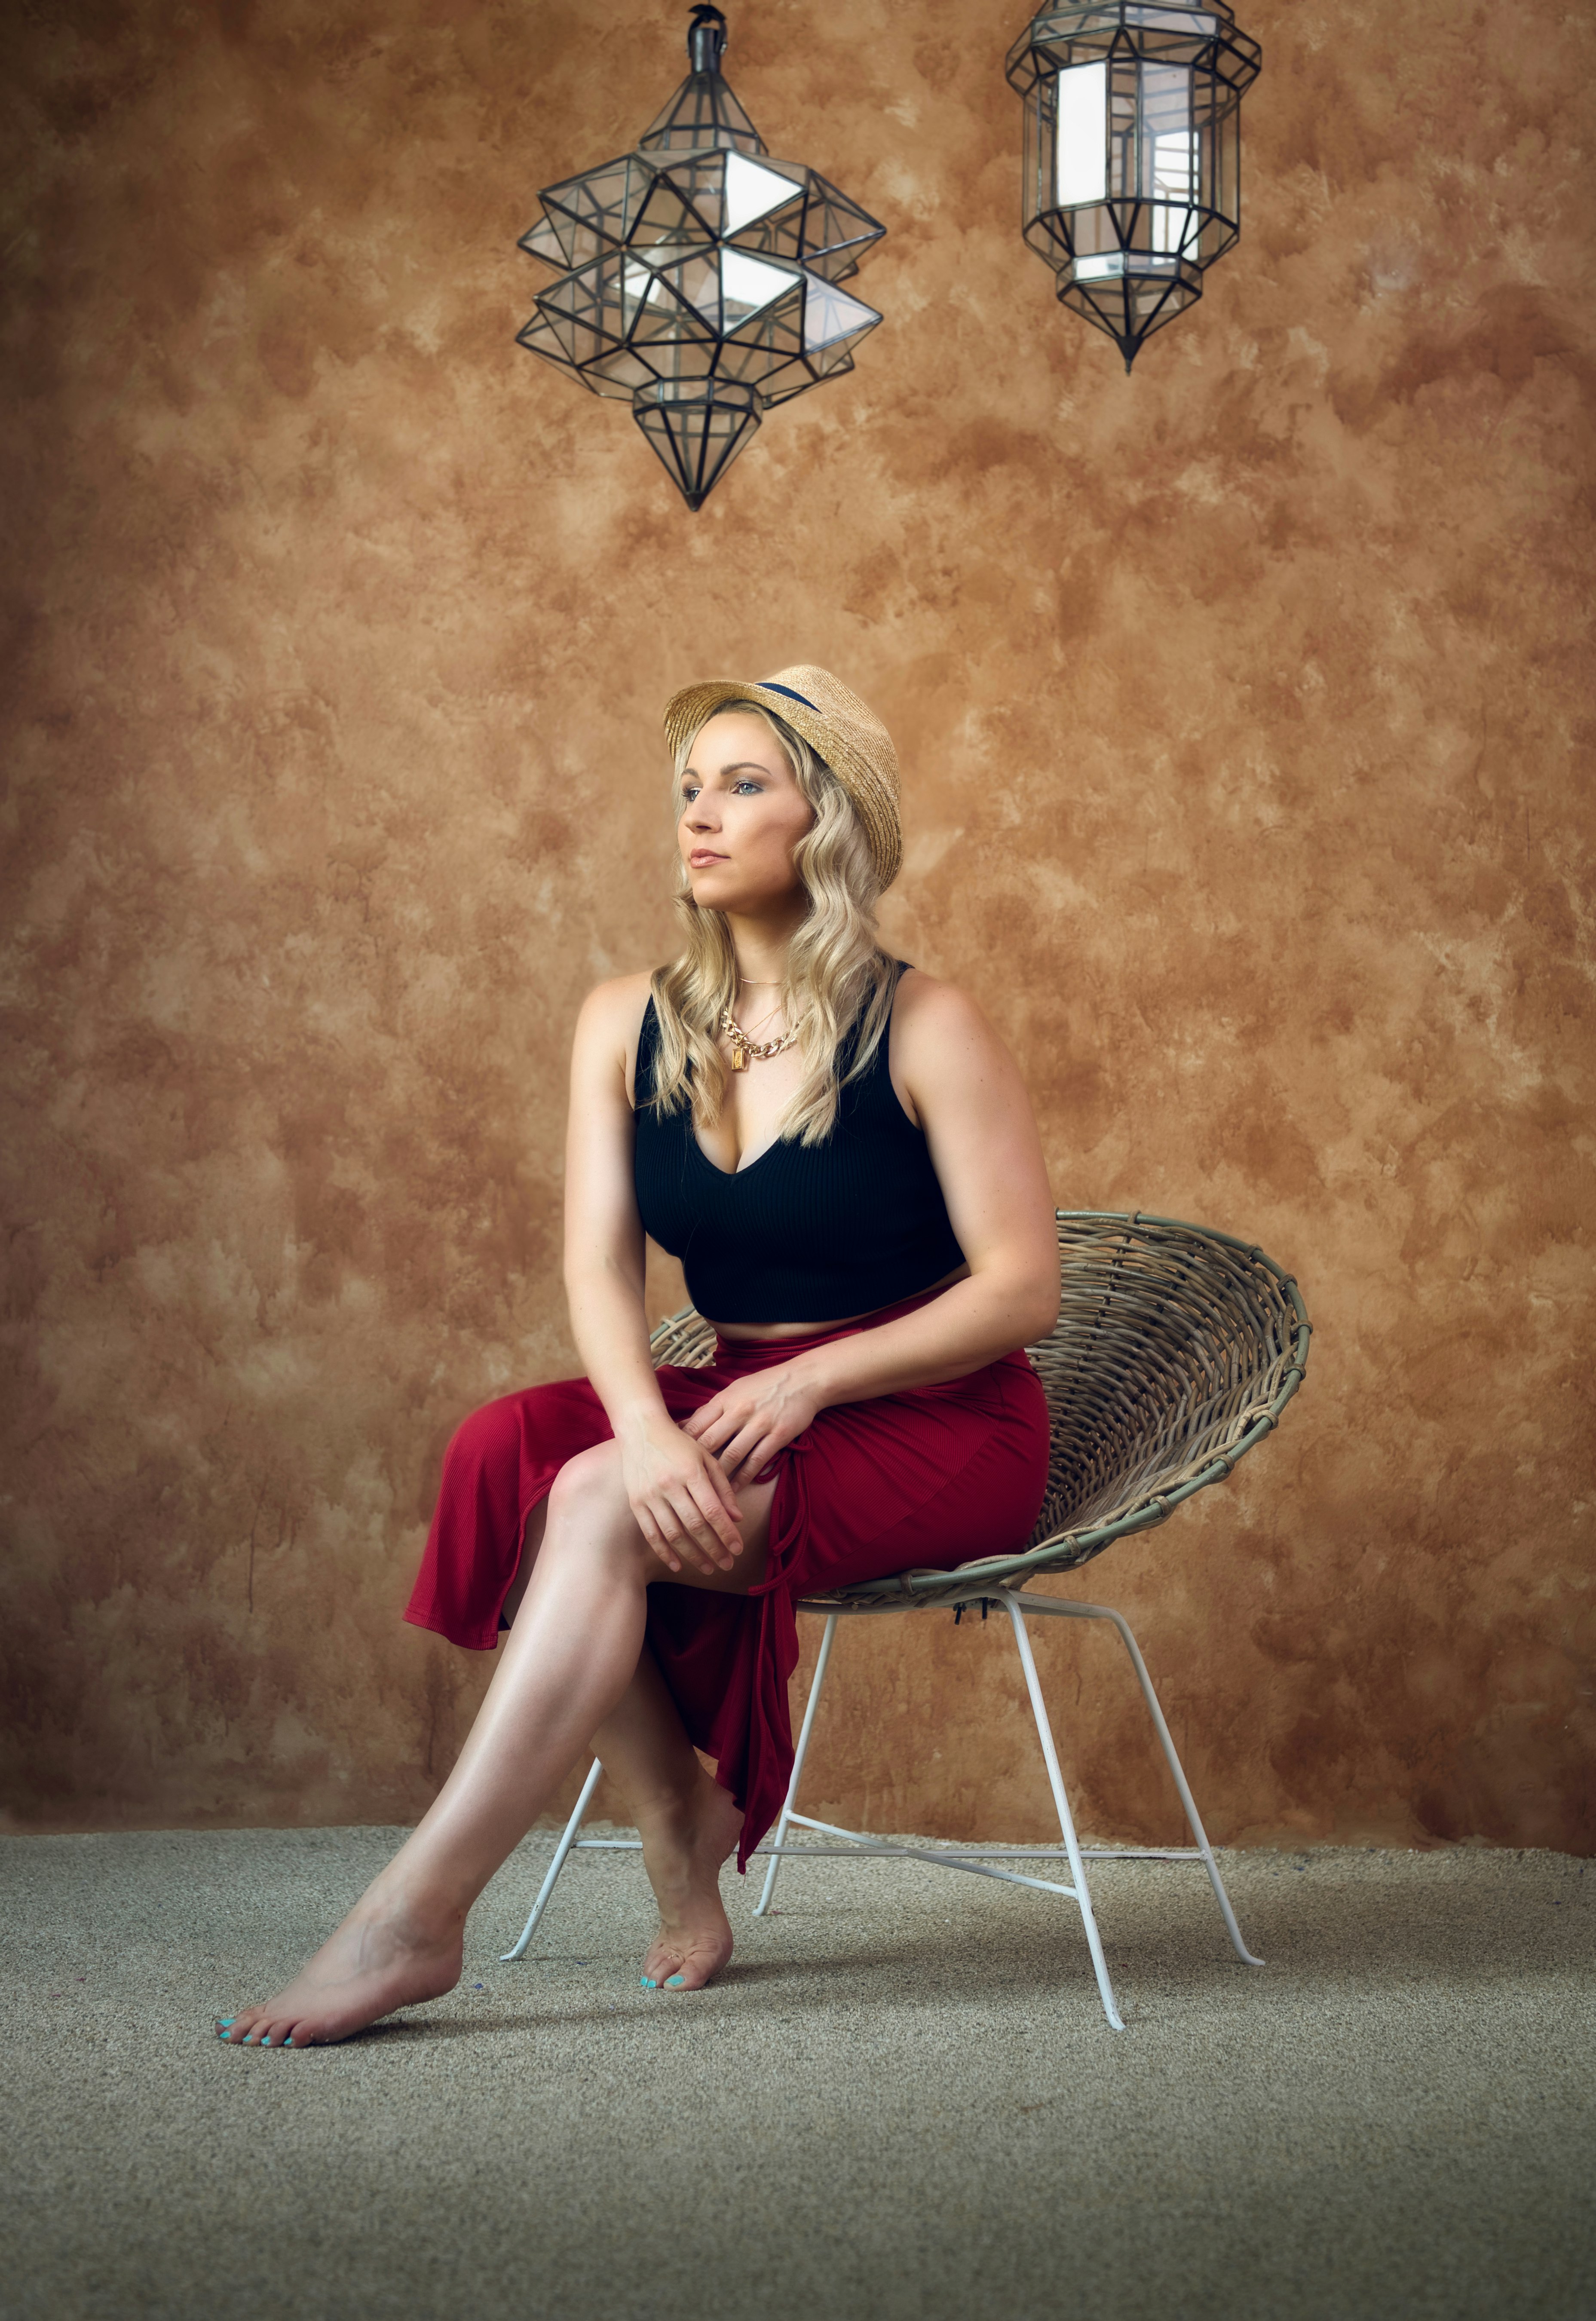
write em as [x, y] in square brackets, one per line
[379, 1960]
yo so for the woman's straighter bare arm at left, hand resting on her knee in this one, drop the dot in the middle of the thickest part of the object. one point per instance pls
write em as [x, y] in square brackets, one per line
[679, 1491]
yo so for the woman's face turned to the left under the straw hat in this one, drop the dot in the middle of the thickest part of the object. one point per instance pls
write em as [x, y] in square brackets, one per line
[741, 816]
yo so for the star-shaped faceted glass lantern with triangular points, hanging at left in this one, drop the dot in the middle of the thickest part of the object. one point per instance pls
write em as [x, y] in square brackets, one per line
[699, 277]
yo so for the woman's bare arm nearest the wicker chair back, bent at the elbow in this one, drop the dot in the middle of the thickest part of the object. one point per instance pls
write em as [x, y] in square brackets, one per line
[971, 1101]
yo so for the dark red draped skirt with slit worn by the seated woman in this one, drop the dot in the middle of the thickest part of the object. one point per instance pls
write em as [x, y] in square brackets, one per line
[920, 1480]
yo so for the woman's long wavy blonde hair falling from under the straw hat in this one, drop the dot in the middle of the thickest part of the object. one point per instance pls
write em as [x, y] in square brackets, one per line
[836, 969]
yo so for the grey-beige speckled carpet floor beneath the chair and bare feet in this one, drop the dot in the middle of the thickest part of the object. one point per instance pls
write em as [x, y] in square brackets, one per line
[901, 2102]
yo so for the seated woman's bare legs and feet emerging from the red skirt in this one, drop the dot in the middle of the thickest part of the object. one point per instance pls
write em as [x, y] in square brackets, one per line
[574, 1668]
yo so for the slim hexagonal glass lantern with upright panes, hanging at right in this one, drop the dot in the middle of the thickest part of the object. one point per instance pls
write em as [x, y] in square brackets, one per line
[1133, 154]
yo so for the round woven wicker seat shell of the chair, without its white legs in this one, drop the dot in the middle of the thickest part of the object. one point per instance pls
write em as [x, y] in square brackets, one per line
[1175, 1352]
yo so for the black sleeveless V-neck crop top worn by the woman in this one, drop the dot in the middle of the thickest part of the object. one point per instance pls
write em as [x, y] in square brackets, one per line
[808, 1231]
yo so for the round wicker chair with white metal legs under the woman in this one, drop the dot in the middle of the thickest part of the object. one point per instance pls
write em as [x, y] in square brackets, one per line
[1175, 1354]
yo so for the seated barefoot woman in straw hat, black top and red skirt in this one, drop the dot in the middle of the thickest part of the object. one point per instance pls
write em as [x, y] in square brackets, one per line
[843, 1155]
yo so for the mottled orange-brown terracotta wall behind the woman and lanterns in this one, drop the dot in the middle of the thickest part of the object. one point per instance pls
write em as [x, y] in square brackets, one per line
[1240, 707]
